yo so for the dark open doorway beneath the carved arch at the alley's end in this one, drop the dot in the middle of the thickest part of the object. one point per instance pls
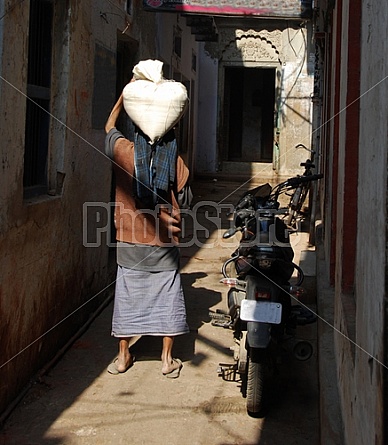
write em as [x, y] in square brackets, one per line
[249, 106]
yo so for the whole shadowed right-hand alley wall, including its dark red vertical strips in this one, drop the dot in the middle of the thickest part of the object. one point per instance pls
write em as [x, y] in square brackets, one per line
[360, 306]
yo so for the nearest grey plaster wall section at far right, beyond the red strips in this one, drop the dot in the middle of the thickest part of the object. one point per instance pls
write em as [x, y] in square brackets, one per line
[367, 397]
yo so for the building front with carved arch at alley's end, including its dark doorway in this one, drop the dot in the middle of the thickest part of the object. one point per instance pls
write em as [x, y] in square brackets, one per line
[258, 105]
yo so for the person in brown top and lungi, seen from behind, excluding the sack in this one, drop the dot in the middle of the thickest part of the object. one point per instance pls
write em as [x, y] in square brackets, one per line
[149, 297]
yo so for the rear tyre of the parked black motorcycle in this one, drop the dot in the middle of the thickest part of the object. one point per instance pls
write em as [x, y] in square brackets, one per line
[257, 382]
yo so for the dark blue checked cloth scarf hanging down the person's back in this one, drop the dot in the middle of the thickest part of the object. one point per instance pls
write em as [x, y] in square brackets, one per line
[154, 168]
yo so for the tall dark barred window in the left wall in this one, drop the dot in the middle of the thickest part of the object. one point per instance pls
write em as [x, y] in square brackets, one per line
[35, 178]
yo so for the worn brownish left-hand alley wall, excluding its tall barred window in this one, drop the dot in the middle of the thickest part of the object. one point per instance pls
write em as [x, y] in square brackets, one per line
[54, 272]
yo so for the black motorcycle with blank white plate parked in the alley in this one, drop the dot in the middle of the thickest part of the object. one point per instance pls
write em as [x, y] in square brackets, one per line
[260, 311]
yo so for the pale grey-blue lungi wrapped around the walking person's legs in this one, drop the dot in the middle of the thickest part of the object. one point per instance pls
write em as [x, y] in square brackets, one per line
[148, 303]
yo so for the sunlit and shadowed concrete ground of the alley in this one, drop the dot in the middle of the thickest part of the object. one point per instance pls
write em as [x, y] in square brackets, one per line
[77, 402]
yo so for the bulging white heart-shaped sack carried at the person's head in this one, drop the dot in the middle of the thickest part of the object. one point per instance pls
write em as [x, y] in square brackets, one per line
[154, 104]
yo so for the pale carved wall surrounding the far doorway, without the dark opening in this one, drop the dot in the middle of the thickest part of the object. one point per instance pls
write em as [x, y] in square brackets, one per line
[258, 44]
